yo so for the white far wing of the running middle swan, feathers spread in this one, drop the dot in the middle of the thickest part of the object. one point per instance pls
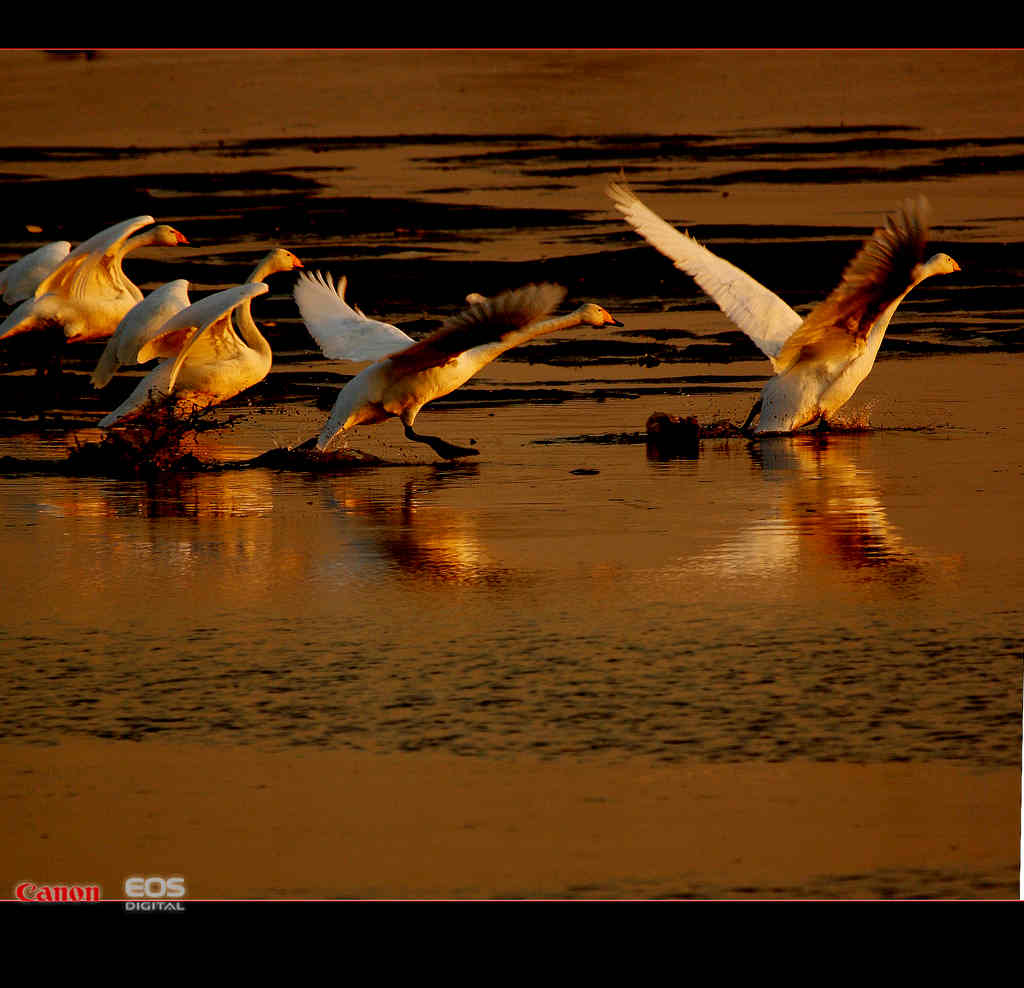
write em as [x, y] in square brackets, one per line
[343, 332]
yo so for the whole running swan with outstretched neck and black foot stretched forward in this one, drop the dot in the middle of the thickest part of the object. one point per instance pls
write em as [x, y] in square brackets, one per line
[407, 375]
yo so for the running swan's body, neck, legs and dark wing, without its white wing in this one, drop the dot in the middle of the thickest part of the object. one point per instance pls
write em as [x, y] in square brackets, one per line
[402, 383]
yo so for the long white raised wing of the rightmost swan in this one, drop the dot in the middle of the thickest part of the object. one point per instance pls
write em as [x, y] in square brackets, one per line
[755, 310]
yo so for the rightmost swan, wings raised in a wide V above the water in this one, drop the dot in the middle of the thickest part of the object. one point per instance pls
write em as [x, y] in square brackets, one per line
[819, 361]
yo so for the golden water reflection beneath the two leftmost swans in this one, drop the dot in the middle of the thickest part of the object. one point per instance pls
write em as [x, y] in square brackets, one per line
[224, 532]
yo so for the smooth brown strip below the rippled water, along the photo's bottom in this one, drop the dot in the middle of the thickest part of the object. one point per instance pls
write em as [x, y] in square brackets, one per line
[344, 825]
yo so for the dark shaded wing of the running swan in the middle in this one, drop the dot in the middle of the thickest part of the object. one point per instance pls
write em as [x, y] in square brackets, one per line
[489, 321]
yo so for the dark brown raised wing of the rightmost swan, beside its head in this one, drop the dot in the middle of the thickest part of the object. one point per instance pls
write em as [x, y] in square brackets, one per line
[880, 274]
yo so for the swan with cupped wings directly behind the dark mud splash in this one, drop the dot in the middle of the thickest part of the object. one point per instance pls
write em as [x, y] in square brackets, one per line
[215, 362]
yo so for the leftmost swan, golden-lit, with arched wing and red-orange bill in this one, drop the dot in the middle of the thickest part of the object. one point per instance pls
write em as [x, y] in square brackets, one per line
[89, 294]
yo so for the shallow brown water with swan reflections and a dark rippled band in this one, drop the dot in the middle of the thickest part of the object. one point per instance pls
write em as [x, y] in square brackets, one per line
[846, 597]
